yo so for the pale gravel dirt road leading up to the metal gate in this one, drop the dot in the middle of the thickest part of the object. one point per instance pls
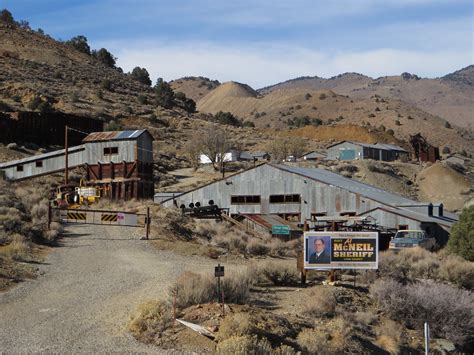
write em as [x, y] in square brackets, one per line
[86, 292]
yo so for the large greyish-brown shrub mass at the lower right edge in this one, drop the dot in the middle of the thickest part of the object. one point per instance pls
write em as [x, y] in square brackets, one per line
[448, 310]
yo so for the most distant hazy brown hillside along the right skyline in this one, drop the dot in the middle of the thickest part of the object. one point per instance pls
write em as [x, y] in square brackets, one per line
[450, 97]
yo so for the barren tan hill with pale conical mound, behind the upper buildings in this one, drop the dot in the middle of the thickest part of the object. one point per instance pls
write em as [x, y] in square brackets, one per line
[282, 108]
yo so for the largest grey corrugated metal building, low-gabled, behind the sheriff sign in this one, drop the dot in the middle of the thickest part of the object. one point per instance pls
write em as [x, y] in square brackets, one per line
[298, 194]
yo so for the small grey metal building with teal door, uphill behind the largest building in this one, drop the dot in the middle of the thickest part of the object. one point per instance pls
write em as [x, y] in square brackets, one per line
[347, 150]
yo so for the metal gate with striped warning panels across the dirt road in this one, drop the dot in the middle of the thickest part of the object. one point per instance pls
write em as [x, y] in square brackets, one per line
[102, 217]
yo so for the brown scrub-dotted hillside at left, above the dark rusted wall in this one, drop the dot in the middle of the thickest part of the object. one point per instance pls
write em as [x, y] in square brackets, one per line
[33, 65]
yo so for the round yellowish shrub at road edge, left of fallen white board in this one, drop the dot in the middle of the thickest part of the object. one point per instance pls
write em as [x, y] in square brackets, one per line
[152, 319]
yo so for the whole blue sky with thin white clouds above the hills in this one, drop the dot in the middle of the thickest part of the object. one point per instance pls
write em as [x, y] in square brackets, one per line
[264, 42]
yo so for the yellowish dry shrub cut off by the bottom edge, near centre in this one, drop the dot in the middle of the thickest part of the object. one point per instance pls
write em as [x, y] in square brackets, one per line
[243, 345]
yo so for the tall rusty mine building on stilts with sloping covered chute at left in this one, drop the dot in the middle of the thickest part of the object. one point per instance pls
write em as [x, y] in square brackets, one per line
[119, 162]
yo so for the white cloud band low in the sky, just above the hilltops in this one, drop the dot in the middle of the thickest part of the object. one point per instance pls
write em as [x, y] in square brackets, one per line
[266, 64]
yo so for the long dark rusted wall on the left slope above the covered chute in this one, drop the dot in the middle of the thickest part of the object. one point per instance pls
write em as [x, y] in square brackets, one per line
[45, 128]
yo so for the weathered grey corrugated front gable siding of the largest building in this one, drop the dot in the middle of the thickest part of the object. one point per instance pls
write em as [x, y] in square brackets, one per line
[267, 180]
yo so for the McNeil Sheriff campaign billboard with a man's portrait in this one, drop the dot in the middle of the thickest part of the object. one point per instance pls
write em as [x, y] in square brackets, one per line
[341, 250]
